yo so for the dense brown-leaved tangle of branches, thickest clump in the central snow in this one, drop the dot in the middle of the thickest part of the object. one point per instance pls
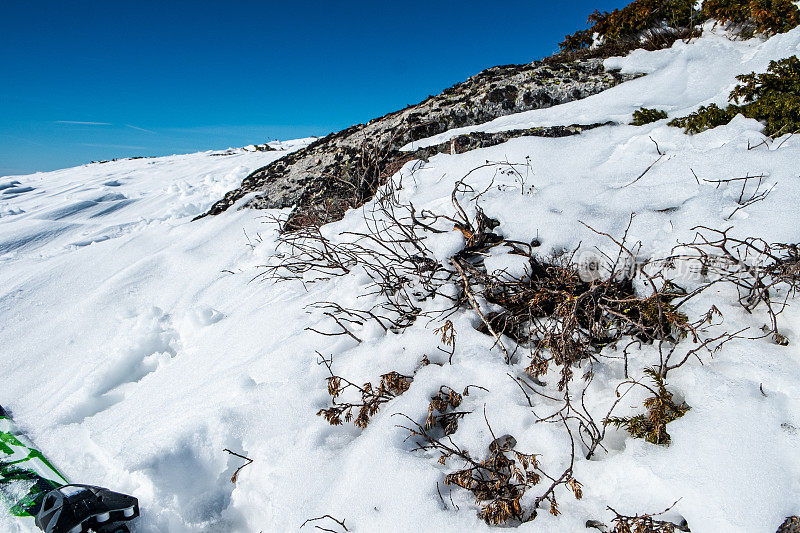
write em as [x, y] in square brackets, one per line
[565, 318]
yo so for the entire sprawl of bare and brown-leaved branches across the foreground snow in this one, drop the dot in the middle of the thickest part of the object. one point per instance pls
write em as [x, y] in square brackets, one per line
[569, 319]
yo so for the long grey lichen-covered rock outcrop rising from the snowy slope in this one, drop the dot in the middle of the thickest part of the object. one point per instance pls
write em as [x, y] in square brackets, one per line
[343, 169]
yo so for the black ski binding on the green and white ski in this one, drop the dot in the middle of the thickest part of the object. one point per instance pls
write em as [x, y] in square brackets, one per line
[84, 509]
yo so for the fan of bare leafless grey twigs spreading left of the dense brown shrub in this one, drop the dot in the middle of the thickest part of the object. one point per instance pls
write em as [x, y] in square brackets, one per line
[391, 252]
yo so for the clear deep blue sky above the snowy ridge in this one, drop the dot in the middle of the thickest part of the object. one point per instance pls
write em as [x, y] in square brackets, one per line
[82, 80]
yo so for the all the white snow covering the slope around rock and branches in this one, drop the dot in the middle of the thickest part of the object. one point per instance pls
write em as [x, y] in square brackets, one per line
[136, 347]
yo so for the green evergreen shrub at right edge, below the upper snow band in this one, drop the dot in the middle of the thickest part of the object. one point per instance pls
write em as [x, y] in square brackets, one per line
[772, 97]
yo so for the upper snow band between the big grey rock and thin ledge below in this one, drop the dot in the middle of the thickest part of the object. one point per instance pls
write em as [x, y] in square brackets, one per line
[680, 79]
